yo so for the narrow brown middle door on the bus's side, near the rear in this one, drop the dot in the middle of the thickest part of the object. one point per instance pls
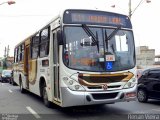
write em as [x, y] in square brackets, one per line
[26, 65]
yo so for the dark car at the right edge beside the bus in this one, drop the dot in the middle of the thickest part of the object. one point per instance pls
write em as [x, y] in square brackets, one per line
[149, 85]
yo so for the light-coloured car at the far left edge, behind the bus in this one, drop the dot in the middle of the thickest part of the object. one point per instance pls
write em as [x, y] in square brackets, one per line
[6, 75]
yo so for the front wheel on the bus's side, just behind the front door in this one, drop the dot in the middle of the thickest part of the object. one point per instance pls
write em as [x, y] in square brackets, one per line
[45, 97]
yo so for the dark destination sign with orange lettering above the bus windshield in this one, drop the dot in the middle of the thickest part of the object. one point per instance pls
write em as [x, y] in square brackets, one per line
[96, 18]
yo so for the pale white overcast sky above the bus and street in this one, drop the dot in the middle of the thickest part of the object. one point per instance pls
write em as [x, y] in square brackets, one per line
[20, 20]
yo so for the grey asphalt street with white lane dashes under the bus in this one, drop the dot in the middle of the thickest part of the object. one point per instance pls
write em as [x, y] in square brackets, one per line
[27, 106]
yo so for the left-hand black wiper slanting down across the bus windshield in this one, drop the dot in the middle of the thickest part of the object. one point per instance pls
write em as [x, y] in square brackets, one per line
[90, 33]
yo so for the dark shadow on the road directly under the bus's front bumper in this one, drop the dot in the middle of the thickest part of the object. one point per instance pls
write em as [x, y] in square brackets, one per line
[94, 112]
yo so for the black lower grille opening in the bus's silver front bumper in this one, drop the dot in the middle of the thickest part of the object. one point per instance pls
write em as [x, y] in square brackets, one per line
[100, 96]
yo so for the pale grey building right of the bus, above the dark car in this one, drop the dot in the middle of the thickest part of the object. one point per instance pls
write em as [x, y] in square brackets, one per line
[145, 57]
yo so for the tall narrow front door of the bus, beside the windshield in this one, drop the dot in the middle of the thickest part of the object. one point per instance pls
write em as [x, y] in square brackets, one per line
[56, 67]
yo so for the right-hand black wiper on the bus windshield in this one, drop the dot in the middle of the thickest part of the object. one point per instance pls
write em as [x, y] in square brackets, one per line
[107, 38]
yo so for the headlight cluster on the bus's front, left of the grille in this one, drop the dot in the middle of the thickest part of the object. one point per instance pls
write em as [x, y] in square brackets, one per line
[72, 84]
